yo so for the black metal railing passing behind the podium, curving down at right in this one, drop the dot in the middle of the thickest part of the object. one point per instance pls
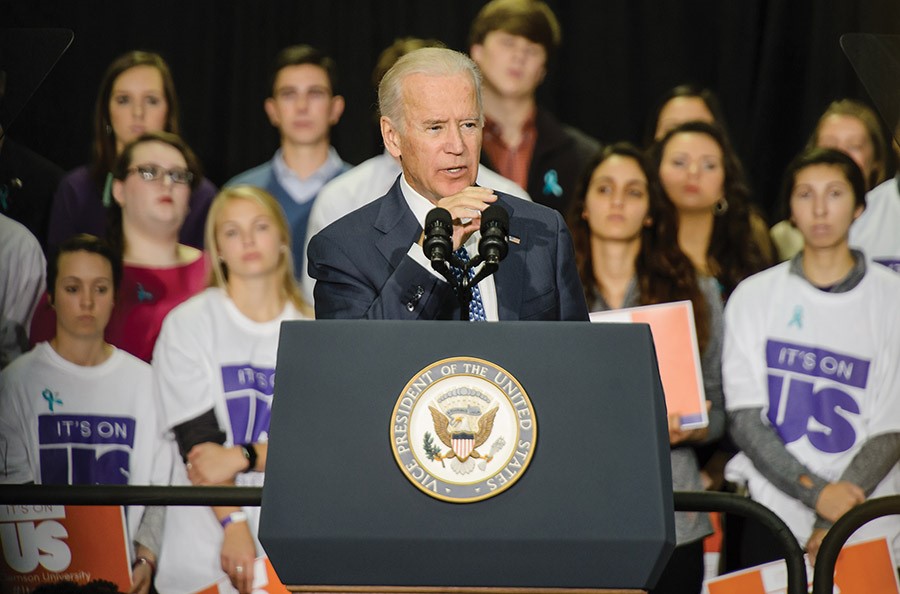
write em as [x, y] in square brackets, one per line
[239, 496]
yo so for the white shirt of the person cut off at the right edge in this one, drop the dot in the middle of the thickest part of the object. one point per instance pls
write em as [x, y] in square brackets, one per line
[877, 231]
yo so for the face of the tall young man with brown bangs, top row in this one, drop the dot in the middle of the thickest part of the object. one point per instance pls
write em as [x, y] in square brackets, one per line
[512, 65]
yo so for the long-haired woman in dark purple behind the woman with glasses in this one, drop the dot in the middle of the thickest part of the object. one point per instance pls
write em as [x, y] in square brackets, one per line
[137, 95]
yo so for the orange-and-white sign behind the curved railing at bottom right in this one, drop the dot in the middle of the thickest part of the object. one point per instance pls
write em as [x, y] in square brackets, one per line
[861, 568]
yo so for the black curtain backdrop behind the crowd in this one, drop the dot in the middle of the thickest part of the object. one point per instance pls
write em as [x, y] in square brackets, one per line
[776, 64]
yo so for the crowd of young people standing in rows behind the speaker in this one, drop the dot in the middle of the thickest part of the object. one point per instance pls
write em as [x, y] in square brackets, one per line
[164, 298]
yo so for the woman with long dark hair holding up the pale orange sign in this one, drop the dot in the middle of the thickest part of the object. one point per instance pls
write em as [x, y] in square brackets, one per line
[626, 248]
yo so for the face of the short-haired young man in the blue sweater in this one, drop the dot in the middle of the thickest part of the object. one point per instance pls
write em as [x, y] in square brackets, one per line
[302, 105]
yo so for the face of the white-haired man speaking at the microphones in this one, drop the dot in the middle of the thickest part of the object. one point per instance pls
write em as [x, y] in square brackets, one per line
[439, 140]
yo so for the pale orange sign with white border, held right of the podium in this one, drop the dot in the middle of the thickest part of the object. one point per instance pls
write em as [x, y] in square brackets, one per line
[677, 352]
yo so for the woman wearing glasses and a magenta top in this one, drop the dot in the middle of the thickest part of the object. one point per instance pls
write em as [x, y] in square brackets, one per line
[151, 189]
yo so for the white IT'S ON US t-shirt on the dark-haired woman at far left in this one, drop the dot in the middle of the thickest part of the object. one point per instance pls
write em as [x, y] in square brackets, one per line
[67, 424]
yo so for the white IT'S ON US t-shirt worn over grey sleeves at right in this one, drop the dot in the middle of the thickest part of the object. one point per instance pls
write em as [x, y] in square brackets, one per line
[824, 368]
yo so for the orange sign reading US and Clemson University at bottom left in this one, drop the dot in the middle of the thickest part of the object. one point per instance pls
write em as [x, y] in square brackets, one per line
[52, 543]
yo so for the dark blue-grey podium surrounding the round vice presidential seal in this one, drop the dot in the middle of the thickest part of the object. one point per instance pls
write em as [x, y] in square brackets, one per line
[592, 512]
